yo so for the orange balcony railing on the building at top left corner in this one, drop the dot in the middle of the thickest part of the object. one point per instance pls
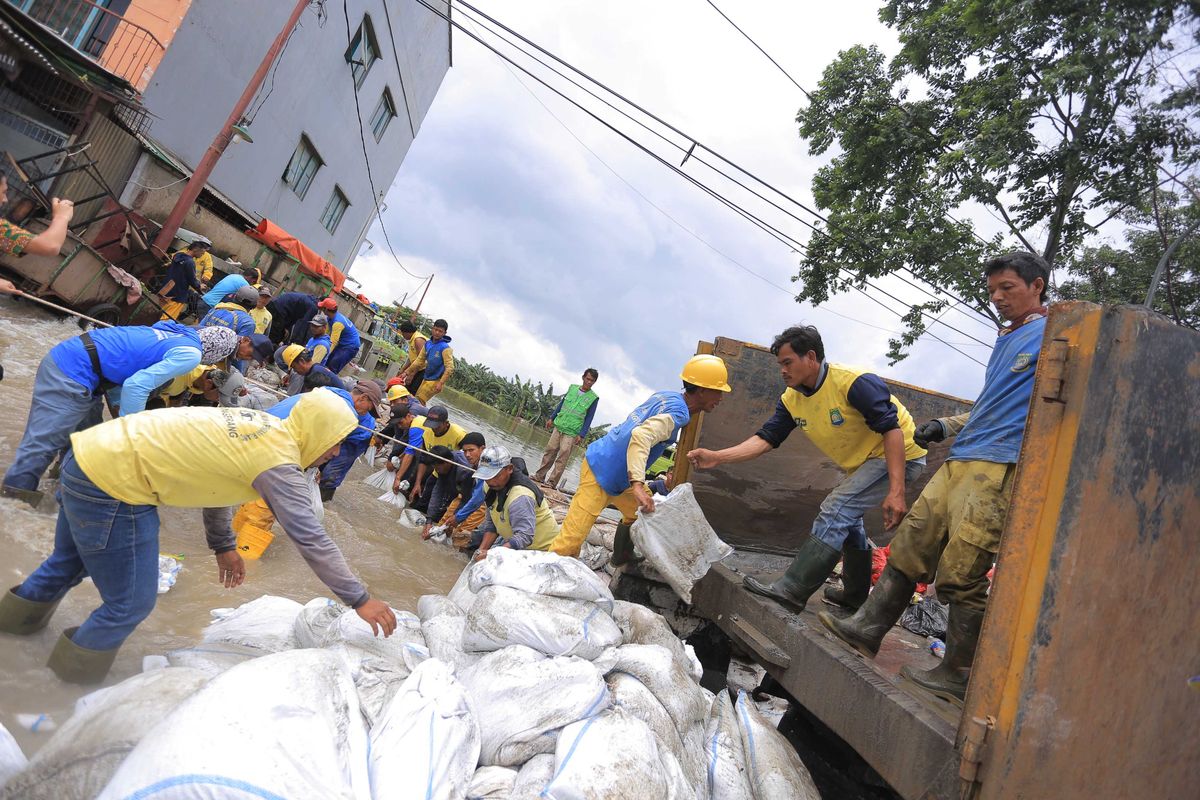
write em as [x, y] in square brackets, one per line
[116, 44]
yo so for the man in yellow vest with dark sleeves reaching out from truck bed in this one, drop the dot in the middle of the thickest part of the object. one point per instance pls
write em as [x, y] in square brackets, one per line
[855, 420]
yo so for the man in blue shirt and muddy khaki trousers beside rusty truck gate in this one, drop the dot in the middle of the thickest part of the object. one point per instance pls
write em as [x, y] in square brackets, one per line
[953, 534]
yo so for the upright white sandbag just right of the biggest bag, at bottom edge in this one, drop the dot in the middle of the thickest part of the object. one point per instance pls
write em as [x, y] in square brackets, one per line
[427, 744]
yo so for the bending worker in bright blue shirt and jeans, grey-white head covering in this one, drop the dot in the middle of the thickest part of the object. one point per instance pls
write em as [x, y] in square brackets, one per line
[128, 364]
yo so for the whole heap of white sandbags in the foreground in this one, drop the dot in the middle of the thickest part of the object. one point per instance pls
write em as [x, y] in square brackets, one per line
[529, 681]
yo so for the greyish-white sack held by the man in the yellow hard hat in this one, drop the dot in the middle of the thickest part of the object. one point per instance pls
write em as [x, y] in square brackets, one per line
[677, 542]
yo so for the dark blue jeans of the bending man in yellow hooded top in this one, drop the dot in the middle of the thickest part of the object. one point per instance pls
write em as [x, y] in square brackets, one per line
[116, 544]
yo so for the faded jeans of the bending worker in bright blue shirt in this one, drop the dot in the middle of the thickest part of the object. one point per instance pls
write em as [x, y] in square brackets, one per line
[59, 407]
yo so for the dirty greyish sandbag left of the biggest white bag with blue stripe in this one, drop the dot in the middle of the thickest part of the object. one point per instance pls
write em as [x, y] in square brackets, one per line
[83, 755]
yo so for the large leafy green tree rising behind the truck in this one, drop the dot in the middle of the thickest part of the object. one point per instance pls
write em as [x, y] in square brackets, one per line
[1054, 117]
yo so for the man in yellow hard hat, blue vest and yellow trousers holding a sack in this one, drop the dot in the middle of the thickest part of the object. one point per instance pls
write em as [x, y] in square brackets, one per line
[615, 466]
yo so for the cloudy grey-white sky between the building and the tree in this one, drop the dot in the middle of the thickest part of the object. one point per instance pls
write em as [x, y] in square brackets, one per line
[548, 261]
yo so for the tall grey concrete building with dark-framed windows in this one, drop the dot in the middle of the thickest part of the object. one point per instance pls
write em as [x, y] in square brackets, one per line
[305, 170]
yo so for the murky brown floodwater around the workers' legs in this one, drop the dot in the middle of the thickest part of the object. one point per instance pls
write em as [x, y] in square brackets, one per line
[398, 567]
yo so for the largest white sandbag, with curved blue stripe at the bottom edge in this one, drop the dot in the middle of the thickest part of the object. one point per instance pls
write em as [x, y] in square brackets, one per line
[285, 725]
